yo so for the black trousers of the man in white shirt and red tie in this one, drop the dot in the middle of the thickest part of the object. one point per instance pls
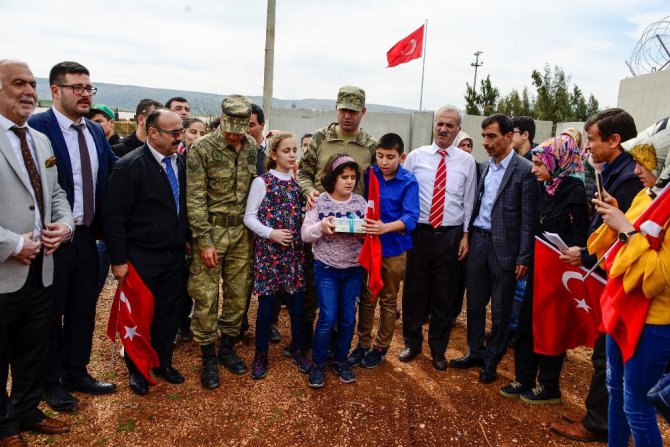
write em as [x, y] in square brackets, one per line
[431, 282]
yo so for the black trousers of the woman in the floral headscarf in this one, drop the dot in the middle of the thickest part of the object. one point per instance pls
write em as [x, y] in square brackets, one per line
[527, 364]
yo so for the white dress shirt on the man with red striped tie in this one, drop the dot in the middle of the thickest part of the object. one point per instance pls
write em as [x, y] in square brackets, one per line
[461, 183]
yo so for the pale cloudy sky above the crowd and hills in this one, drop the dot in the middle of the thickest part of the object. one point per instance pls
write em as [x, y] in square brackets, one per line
[217, 46]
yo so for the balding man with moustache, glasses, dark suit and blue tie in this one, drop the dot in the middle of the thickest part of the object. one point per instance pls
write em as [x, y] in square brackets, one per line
[146, 225]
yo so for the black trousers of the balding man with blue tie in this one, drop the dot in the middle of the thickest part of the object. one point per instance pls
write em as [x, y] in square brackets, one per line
[163, 273]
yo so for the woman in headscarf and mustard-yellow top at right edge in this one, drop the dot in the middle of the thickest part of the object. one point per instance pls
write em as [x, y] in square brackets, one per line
[642, 266]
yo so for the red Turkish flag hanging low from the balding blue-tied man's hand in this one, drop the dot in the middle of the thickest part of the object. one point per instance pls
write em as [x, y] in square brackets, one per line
[131, 316]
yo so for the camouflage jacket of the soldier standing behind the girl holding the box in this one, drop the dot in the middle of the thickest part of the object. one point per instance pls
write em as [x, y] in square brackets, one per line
[324, 144]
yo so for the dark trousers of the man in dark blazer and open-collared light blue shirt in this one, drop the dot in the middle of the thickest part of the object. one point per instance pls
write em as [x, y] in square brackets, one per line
[487, 280]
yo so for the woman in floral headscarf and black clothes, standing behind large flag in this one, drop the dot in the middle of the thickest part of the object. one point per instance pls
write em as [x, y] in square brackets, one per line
[558, 167]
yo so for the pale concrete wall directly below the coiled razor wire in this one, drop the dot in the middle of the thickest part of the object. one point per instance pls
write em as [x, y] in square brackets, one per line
[646, 97]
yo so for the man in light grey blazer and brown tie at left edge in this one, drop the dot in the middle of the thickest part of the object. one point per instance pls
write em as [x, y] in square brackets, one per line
[35, 220]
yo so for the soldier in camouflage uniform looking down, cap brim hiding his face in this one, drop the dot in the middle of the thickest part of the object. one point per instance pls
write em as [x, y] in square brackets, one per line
[221, 167]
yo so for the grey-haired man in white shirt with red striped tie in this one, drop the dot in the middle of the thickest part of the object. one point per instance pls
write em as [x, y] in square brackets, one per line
[446, 177]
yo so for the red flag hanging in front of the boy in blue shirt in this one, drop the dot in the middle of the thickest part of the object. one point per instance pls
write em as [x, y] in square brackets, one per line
[370, 257]
